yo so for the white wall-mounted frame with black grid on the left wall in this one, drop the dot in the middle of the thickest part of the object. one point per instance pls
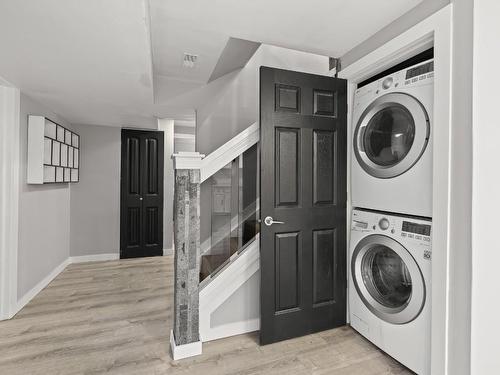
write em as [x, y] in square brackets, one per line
[53, 152]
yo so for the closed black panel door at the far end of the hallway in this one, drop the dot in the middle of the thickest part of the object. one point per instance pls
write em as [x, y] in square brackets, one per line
[141, 227]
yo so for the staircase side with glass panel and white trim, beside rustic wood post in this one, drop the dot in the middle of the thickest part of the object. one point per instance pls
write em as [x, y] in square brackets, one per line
[229, 280]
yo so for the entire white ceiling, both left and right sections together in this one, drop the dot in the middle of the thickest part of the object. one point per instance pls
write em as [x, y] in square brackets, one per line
[119, 62]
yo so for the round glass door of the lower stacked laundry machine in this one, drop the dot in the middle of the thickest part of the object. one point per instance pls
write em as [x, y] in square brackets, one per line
[388, 279]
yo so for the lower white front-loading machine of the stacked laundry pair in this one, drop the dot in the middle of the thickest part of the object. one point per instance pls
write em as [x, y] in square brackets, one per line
[390, 284]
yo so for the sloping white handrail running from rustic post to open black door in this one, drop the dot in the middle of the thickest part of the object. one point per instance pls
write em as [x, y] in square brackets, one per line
[229, 151]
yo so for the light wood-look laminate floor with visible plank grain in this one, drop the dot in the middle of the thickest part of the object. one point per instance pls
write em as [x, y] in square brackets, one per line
[115, 317]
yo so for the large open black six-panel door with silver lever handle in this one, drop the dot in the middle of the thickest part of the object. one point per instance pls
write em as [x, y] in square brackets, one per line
[303, 189]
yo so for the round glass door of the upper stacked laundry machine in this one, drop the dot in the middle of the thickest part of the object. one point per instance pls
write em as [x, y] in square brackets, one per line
[391, 135]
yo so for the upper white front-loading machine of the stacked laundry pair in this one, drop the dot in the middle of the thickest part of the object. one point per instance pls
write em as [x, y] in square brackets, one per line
[391, 163]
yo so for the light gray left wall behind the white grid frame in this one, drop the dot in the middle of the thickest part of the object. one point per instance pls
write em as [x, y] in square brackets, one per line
[44, 213]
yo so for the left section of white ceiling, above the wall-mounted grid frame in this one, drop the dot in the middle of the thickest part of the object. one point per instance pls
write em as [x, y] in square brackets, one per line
[87, 60]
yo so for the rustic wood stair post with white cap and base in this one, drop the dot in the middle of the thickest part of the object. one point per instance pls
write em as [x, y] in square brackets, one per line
[185, 339]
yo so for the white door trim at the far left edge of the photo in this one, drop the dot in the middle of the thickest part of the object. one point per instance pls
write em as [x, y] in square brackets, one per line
[9, 197]
